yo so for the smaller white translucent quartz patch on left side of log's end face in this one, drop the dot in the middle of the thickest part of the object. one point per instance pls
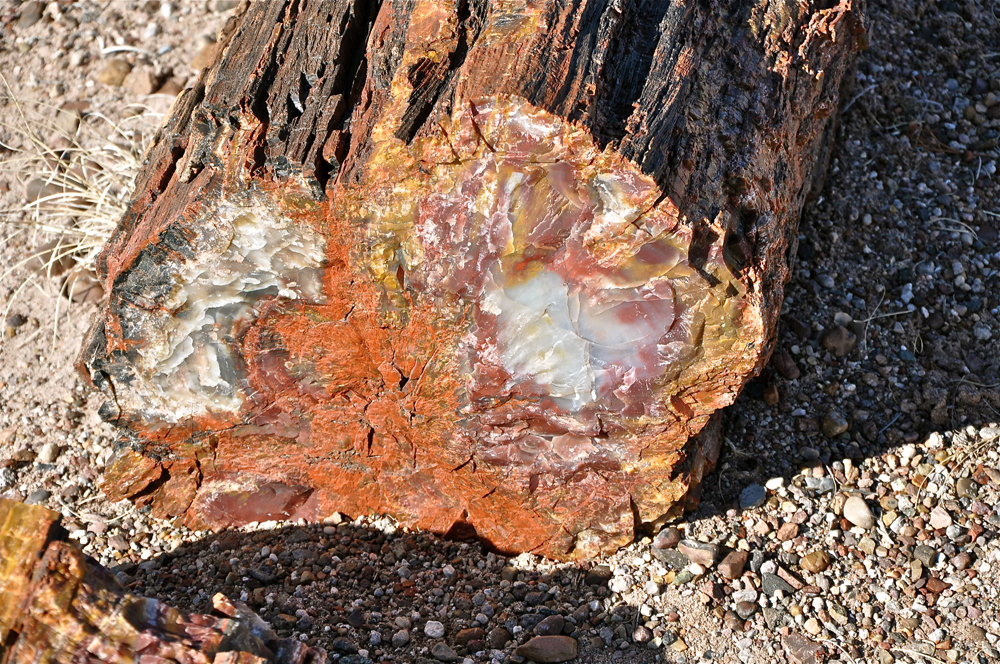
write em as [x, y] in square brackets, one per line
[246, 252]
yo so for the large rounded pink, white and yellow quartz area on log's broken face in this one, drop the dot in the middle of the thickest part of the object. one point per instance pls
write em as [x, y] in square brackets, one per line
[574, 274]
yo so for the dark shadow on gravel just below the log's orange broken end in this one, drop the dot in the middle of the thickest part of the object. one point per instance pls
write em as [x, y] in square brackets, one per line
[374, 591]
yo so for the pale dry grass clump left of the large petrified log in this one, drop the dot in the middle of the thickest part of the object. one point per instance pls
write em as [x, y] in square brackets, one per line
[77, 169]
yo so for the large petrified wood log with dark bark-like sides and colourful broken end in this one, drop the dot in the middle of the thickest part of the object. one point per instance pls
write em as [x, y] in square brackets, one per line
[473, 264]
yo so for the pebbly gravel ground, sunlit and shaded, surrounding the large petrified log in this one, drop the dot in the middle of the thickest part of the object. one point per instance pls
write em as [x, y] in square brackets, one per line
[853, 516]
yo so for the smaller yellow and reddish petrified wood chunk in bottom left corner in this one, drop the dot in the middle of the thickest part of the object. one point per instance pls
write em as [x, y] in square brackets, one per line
[58, 605]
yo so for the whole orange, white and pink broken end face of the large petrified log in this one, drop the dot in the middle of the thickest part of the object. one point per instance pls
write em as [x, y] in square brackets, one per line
[496, 334]
